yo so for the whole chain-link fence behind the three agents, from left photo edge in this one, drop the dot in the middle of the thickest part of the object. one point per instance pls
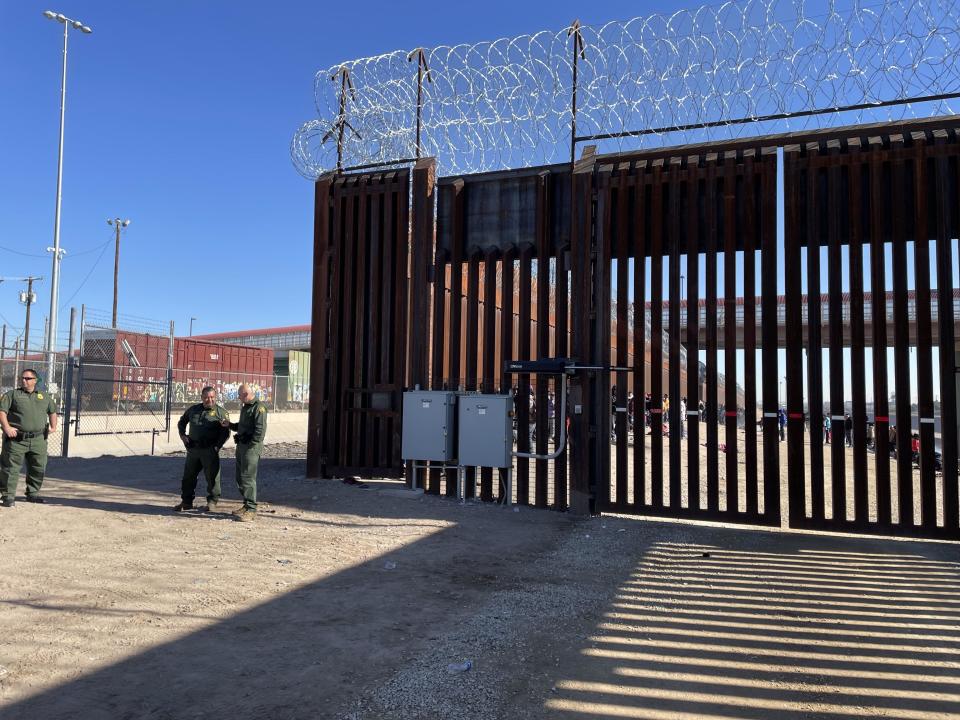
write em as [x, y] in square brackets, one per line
[119, 390]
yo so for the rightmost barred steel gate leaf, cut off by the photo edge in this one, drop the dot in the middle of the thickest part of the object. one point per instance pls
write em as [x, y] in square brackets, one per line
[877, 210]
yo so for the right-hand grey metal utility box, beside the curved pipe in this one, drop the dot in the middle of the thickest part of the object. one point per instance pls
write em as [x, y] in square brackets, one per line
[486, 430]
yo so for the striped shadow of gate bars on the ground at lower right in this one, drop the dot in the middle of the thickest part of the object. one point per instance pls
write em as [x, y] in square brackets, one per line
[833, 628]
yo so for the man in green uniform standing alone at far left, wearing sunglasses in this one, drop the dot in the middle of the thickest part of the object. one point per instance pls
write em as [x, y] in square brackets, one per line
[25, 416]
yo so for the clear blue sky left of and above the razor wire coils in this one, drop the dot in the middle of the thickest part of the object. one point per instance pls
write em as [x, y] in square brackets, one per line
[179, 117]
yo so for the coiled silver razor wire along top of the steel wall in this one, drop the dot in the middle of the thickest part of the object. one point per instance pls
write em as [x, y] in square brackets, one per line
[718, 72]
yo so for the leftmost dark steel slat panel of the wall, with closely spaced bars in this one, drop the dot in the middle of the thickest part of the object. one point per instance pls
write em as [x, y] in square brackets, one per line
[359, 339]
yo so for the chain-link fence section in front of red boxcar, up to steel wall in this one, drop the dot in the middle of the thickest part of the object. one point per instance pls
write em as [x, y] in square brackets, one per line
[134, 382]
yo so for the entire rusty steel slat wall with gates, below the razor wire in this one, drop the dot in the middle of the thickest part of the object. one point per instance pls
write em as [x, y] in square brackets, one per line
[667, 263]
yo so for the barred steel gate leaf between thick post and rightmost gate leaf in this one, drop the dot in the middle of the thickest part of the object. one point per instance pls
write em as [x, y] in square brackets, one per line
[649, 214]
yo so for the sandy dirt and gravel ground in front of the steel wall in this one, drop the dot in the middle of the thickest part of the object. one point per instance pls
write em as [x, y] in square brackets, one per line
[351, 603]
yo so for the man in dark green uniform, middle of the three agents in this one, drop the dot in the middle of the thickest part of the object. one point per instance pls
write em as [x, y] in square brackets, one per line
[207, 436]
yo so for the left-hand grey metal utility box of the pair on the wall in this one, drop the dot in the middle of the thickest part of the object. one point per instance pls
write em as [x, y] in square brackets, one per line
[429, 418]
